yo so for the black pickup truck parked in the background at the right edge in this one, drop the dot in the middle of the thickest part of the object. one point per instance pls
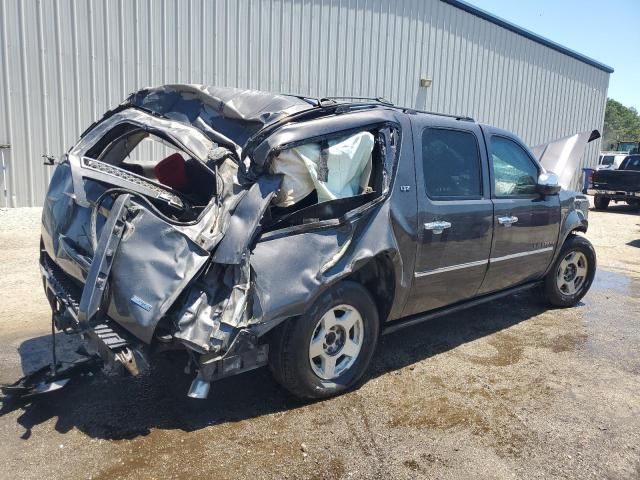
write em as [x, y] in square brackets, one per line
[621, 185]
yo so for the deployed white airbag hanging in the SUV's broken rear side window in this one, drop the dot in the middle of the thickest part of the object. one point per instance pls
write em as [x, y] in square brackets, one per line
[349, 169]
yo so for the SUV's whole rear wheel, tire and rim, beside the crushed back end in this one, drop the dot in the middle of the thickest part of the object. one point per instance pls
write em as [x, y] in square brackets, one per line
[327, 350]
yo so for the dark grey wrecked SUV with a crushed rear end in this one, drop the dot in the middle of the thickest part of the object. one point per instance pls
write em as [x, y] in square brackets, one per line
[248, 228]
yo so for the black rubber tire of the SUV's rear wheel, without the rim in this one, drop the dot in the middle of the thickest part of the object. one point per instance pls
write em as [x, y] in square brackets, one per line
[289, 350]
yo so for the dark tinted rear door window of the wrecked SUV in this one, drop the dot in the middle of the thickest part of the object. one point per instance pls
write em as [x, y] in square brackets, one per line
[451, 164]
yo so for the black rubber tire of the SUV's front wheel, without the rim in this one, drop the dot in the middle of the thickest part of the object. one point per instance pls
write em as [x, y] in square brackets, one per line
[553, 293]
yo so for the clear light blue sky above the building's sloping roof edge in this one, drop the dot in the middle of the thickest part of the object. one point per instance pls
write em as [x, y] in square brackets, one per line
[608, 32]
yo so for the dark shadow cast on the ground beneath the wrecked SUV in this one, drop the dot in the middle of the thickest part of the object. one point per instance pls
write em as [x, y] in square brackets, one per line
[120, 407]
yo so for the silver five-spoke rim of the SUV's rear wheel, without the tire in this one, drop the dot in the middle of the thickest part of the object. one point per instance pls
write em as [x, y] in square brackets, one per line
[336, 342]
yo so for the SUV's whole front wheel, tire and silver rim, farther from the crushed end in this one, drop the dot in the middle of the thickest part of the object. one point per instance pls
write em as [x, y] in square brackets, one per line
[572, 273]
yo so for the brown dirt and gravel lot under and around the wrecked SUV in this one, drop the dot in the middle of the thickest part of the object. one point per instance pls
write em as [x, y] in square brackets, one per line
[505, 390]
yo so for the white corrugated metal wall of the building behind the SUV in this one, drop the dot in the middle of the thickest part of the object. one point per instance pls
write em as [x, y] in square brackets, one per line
[64, 62]
